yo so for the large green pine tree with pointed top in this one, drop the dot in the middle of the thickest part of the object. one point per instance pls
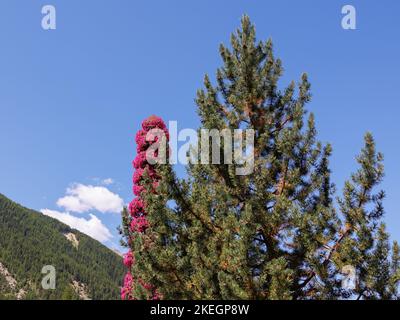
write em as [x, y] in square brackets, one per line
[276, 233]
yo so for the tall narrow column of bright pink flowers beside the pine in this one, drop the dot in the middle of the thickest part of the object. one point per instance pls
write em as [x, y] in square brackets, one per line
[151, 143]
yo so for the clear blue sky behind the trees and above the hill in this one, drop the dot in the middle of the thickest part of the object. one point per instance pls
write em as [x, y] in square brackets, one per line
[71, 99]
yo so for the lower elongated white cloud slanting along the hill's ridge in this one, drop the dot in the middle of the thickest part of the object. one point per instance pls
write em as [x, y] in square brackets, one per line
[93, 227]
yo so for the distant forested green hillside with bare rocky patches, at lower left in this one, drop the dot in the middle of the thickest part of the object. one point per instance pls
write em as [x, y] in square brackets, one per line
[85, 269]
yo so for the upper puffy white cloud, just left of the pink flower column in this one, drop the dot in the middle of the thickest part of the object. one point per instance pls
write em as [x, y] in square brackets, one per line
[82, 198]
